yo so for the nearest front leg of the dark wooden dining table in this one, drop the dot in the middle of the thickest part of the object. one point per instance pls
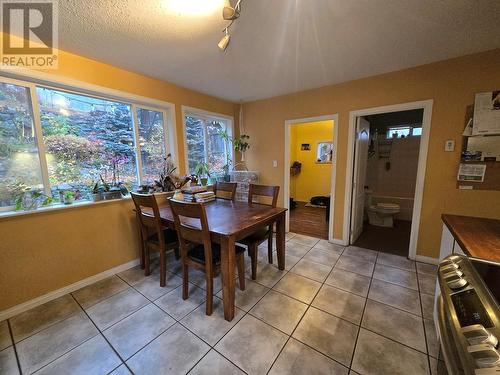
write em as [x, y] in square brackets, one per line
[228, 276]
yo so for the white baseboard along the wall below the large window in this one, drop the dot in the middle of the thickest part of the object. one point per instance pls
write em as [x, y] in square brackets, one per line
[6, 314]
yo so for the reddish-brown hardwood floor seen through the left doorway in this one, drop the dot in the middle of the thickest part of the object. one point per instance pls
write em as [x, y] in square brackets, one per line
[310, 221]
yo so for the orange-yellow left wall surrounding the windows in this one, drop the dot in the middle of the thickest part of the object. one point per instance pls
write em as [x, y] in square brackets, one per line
[43, 252]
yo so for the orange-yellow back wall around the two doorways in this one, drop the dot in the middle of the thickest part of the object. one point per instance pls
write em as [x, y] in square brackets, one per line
[451, 84]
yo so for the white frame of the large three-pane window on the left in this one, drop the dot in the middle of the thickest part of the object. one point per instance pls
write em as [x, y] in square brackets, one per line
[32, 80]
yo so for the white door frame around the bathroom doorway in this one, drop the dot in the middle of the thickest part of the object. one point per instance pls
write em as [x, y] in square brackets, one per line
[426, 105]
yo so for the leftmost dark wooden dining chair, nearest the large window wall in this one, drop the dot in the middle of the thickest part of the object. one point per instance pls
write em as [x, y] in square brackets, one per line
[154, 235]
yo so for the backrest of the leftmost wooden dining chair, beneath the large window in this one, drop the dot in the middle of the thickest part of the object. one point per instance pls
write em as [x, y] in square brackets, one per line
[148, 220]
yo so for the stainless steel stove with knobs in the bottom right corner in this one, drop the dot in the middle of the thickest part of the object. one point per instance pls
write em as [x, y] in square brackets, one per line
[468, 315]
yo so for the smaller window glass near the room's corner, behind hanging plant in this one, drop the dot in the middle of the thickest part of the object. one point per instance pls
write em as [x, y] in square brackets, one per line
[205, 142]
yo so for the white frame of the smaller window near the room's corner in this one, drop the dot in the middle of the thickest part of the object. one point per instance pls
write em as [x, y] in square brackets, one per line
[210, 116]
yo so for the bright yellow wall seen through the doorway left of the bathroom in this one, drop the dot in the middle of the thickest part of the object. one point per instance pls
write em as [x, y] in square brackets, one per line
[314, 179]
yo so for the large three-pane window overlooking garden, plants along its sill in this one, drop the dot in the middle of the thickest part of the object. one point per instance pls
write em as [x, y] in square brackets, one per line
[66, 140]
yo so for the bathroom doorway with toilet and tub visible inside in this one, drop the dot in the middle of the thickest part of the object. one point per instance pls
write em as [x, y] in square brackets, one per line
[388, 167]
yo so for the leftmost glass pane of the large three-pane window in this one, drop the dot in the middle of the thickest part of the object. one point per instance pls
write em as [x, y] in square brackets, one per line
[19, 160]
